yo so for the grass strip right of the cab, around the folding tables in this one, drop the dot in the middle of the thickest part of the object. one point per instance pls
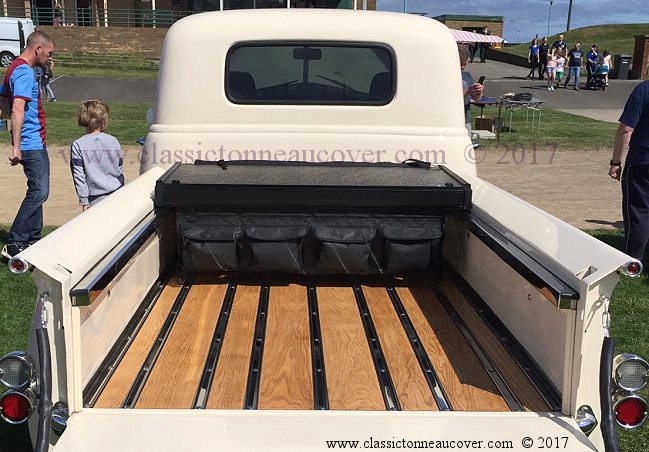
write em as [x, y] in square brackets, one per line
[558, 130]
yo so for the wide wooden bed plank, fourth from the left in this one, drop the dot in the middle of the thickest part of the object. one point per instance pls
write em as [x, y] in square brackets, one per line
[286, 375]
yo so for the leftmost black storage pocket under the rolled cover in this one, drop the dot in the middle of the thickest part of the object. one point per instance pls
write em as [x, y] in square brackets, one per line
[212, 247]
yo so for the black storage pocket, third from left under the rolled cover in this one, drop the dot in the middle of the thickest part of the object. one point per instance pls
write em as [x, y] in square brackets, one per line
[347, 249]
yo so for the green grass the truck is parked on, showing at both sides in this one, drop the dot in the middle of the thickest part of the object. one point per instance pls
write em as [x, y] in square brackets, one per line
[629, 310]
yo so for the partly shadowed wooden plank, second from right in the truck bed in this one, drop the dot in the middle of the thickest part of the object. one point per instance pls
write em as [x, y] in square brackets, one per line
[463, 377]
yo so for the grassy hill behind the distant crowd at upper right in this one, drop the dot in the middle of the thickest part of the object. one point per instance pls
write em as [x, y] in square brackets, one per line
[614, 38]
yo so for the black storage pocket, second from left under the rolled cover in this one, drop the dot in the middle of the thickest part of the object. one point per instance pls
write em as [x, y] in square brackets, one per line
[276, 247]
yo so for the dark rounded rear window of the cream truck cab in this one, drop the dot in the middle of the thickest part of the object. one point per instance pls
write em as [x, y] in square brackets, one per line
[310, 73]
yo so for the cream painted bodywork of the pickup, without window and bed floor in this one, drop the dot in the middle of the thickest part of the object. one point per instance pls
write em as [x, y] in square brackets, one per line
[194, 119]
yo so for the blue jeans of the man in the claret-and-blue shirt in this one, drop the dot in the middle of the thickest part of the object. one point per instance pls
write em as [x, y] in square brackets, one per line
[28, 224]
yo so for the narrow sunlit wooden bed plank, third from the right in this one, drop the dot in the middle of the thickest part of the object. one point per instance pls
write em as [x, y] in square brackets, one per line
[410, 384]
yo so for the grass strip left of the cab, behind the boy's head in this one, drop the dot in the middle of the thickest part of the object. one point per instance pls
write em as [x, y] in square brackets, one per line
[127, 122]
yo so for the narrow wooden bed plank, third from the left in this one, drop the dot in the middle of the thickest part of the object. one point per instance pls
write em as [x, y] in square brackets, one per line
[229, 385]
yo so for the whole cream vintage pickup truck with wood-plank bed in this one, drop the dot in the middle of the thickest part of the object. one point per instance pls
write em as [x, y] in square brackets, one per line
[309, 261]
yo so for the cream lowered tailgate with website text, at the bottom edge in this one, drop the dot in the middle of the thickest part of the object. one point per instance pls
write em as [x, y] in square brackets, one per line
[216, 430]
